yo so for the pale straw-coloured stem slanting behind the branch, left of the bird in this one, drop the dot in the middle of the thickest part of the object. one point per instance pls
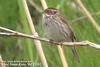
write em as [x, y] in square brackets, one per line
[37, 42]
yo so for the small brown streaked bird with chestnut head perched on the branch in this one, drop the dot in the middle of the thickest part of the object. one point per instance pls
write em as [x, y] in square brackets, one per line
[58, 29]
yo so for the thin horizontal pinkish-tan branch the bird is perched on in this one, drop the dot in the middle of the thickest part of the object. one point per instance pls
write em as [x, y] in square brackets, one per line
[81, 43]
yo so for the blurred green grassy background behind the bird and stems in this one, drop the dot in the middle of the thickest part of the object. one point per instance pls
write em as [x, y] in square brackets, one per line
[12, 16]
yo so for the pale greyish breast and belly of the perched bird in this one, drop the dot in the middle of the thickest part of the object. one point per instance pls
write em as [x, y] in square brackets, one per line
[53, 29]
